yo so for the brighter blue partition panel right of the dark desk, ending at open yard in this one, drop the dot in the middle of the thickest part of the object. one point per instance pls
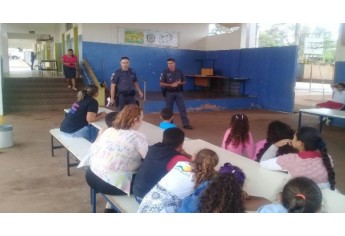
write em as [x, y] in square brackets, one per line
[272, 73]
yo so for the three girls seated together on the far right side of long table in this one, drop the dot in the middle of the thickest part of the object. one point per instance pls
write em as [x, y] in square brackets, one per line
[300, 153]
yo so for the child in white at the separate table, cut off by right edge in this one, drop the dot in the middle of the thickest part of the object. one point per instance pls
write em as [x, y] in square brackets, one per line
[338, 99]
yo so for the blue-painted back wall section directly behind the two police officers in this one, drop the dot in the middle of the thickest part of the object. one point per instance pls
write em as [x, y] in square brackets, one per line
[148, 62]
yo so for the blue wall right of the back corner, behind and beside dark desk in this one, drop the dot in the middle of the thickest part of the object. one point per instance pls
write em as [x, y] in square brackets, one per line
[272, 73]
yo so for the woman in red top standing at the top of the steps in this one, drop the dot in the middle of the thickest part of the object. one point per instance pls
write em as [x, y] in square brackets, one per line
[70, 65]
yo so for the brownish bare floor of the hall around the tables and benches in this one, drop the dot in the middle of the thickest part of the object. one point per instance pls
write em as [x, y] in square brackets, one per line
[33, 181]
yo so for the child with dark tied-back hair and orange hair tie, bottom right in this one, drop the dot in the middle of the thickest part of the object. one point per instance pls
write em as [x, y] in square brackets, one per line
[300, 195]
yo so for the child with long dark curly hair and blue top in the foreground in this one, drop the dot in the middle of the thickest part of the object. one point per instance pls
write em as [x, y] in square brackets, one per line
[222, 194]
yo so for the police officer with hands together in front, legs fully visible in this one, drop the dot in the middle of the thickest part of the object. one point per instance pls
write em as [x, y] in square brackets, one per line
[172, 81]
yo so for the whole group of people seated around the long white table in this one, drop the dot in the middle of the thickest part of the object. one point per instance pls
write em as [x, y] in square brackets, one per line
[164, 178]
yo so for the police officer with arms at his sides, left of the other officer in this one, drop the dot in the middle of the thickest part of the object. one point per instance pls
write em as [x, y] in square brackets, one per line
[123, 84]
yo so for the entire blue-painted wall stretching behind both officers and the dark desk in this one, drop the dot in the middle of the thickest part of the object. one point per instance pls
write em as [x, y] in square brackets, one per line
[272, 71]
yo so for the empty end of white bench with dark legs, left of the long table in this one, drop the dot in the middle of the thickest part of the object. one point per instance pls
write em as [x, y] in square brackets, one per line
[76, 147]
